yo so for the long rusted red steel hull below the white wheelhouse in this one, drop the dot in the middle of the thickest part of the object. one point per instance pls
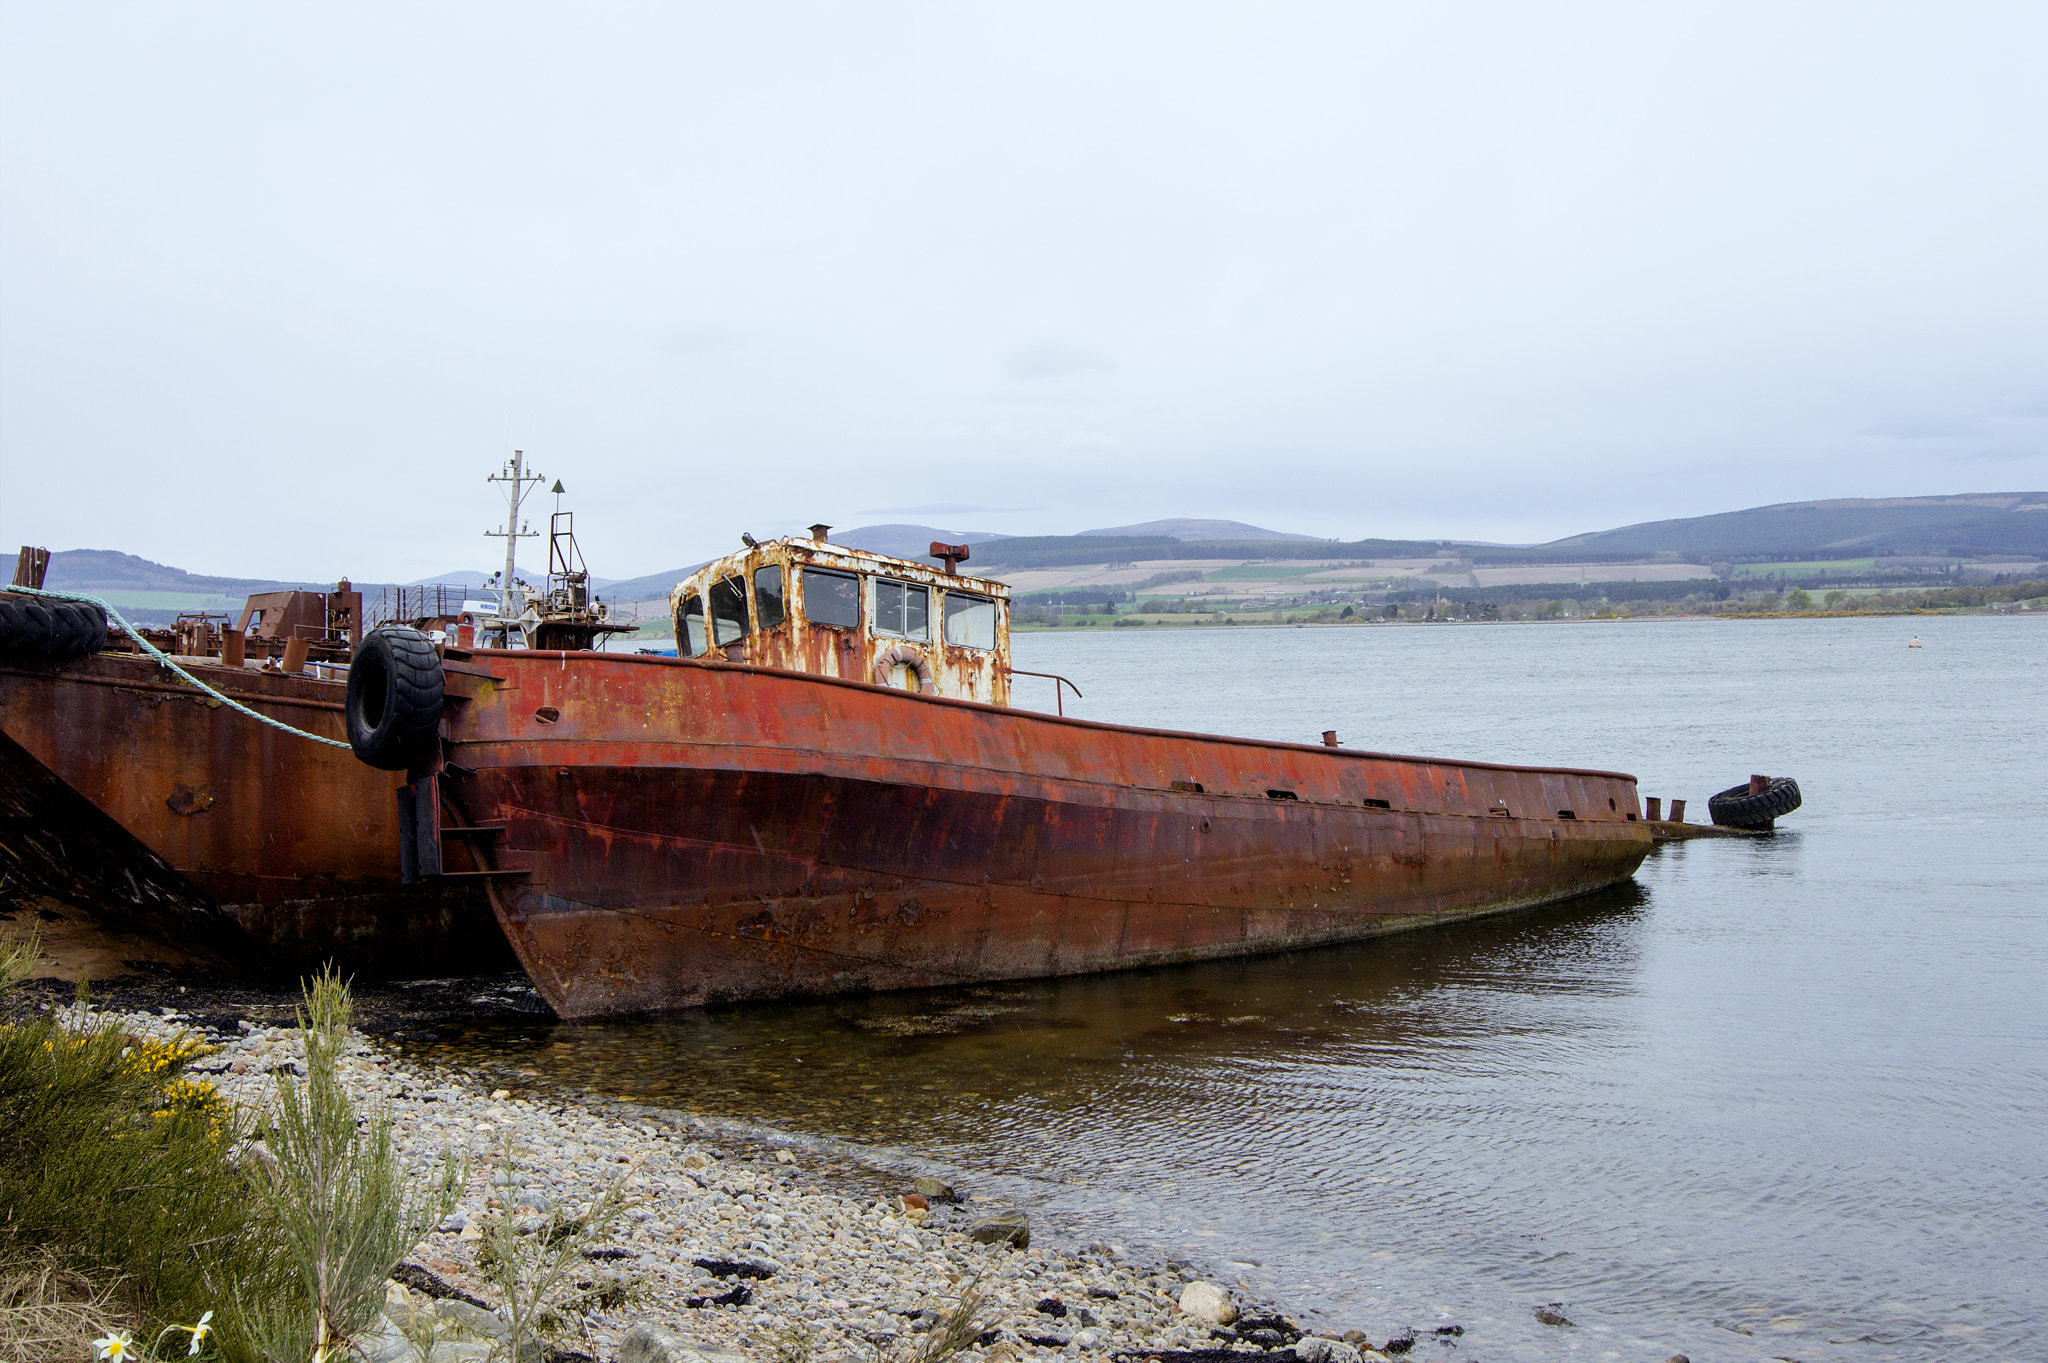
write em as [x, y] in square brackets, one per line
[683, 834]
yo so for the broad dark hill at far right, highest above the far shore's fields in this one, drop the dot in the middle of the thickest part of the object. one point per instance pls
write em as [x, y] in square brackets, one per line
[1955, 527]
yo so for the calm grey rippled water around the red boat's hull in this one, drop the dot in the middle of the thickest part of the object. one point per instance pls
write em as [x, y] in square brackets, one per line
[1777, 1100]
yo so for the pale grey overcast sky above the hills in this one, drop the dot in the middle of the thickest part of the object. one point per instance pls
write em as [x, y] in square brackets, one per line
[282, 285]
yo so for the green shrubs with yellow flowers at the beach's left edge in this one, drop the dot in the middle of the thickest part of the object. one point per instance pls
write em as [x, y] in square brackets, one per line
[130, 1194]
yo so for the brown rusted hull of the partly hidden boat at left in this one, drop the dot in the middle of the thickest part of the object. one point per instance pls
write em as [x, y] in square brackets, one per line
[134, 797]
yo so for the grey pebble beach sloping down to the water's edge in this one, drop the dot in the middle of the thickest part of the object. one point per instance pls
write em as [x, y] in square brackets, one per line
[732, 1245]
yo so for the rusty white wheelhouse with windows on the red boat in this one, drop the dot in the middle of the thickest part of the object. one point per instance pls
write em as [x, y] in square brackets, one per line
[808, 605]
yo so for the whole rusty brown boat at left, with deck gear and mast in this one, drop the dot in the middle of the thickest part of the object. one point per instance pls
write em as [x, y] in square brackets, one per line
[161, 809]
